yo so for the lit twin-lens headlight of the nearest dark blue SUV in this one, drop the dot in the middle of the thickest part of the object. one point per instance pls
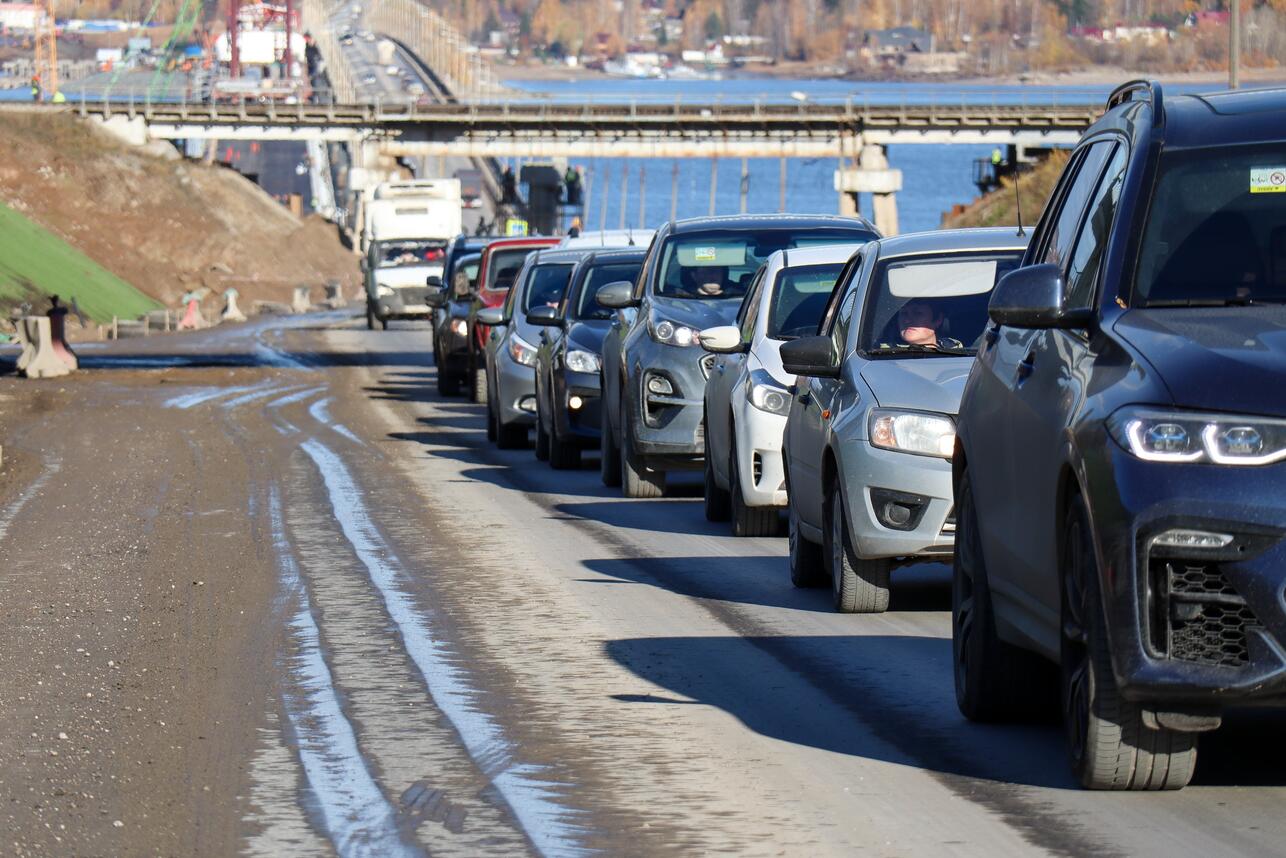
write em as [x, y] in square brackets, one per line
[1157, 435]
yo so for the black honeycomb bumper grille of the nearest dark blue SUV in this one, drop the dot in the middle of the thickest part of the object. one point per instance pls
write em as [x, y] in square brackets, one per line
[1198, 616]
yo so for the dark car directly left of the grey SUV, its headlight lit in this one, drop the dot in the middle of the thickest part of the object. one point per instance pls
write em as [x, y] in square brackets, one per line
[569, 357]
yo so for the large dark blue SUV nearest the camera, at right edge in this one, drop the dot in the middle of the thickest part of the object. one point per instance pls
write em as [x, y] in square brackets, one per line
[1122, 443]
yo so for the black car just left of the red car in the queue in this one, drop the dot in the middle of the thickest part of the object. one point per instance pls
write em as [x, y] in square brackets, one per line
[451, 303]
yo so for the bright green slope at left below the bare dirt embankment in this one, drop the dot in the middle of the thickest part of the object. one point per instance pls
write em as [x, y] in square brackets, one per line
[35, 264]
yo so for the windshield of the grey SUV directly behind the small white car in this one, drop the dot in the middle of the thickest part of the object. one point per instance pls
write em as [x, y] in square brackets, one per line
[722, 264]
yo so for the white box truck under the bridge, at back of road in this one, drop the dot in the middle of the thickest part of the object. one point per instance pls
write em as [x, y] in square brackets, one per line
[406, 231]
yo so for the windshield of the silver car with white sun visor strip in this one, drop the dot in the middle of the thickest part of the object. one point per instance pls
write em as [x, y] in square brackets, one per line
[932, 306]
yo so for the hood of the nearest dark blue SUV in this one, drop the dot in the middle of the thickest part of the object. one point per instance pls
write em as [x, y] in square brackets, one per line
[1224, 360]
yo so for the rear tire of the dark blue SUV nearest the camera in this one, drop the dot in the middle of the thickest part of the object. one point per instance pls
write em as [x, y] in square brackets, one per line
[995, 681]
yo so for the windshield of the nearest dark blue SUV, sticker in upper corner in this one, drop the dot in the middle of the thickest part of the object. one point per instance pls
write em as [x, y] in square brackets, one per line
[1216, 231]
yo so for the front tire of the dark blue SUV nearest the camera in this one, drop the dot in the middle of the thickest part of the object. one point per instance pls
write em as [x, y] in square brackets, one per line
[1110, 745]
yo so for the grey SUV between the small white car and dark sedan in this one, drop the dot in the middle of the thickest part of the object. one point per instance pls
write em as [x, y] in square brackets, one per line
[695, 277]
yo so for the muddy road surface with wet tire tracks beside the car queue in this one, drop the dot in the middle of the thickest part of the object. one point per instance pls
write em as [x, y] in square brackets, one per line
[269, 594]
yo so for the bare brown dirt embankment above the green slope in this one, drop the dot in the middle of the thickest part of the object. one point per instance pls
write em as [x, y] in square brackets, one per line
[165, 226]
